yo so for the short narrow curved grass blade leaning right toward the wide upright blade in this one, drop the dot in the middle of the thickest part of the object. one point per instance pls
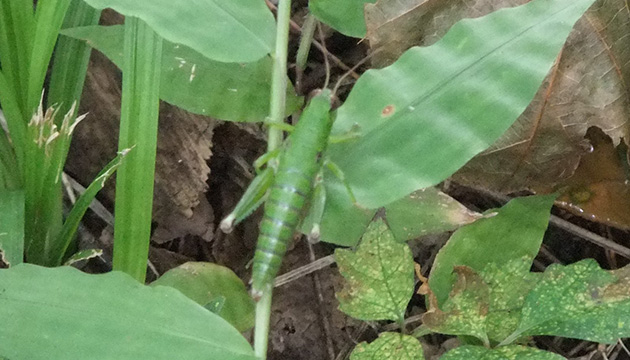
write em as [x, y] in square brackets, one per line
[71, 224]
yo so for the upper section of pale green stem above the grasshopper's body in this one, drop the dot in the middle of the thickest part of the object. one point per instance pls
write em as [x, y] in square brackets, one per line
[279, 75]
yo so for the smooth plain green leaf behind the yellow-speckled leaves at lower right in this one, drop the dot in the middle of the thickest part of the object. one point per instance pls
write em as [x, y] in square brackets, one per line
[515, 232]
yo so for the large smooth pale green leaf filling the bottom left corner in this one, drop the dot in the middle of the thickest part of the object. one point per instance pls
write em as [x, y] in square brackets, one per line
[62, 313]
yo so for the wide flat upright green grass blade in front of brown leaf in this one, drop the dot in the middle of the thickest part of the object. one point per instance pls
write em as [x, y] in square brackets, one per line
[138, 130]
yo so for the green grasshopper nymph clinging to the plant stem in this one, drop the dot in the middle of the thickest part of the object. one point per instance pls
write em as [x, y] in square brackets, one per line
[290, 189]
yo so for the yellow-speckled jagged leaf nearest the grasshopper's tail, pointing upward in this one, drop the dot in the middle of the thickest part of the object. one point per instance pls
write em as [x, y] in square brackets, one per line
[379, 276]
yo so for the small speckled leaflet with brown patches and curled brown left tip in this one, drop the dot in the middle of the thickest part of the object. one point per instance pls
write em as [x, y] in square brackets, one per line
[464, 312]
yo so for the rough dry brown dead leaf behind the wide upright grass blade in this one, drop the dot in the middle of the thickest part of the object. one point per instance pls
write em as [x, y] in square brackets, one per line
[184, 142]
